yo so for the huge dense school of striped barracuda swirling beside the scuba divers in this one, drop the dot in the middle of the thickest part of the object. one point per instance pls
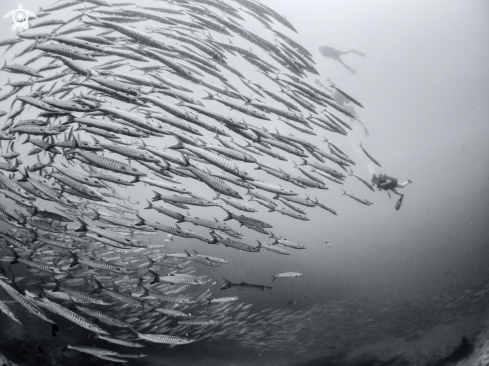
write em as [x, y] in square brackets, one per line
[134, 121]
